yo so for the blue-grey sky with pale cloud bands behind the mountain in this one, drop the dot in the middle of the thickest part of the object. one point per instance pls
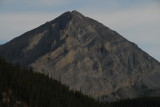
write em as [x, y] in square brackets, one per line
[136, 20]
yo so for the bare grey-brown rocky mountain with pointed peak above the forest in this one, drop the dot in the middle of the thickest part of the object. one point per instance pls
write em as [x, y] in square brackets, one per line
[86, 55]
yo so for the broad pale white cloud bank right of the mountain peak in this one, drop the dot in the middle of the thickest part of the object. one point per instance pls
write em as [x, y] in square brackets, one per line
[142, 19]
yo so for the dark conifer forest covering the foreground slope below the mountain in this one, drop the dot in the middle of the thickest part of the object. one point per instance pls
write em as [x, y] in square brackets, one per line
[25, 88]
